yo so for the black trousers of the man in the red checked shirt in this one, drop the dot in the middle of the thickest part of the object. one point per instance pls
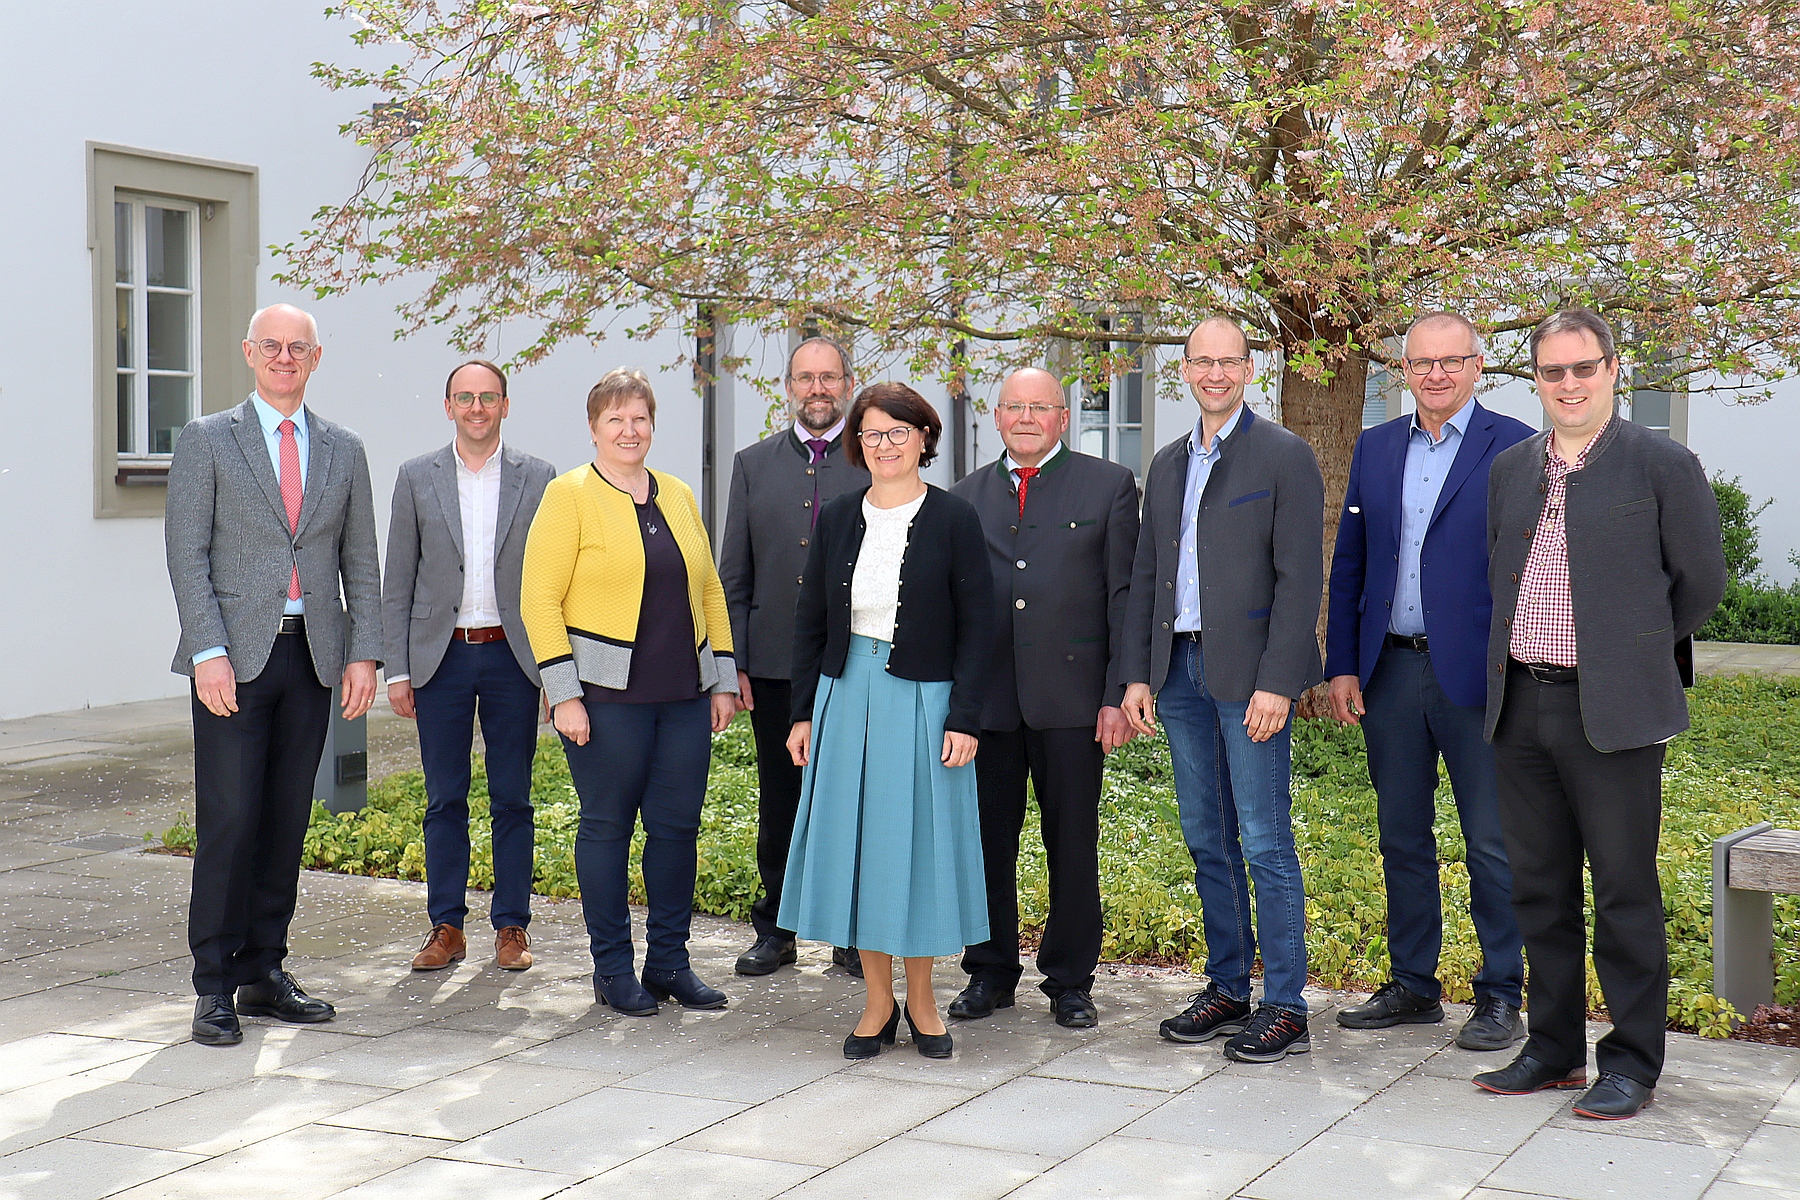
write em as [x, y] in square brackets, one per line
[1563, 801]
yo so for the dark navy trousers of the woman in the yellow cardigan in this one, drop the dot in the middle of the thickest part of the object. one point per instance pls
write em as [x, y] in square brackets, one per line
[640, 760]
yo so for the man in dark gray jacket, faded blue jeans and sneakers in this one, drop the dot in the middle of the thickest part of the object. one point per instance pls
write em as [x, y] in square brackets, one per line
[1225, 602]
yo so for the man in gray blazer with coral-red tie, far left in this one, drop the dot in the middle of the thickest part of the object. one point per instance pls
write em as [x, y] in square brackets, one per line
[271, 546]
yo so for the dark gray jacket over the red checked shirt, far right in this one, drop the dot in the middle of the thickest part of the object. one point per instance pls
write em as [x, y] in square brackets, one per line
[1646, 571]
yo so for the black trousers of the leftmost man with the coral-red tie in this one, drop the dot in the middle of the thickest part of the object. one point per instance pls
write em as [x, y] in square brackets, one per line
[253, 798]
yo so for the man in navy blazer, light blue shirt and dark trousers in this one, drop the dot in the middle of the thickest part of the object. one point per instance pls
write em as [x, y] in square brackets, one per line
[1407, 656]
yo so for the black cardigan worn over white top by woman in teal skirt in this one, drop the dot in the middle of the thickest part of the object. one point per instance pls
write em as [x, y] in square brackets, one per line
[946, 623]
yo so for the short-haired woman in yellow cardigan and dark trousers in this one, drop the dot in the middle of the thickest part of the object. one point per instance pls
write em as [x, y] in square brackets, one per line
[629, 627]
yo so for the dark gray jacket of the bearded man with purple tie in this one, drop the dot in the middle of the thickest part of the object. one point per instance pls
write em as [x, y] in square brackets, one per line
[768, 533]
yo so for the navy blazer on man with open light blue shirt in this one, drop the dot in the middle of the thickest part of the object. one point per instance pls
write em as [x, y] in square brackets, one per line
[1452, 564]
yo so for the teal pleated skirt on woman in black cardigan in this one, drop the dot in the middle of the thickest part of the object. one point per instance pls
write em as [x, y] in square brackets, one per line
[886, 848]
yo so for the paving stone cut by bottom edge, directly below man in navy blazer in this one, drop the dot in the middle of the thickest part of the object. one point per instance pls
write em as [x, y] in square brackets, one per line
[1363, 1167]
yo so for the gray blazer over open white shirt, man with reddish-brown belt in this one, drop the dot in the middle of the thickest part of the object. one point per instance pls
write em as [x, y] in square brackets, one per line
[426, 562]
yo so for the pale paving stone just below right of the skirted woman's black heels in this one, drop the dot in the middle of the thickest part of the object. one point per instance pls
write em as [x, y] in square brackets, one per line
[1054, 1118]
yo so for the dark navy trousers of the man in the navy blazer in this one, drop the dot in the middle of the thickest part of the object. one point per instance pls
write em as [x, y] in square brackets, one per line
[1410, 722]
